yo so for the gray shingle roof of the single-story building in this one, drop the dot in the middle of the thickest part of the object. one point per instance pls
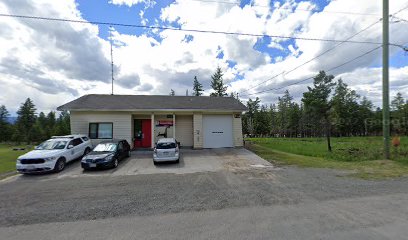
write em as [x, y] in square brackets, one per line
[156, 102]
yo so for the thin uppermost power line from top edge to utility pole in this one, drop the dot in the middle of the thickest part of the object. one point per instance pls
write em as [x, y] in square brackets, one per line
[289, 8]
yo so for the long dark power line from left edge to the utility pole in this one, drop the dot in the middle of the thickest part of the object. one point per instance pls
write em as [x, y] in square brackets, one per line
[180, 29]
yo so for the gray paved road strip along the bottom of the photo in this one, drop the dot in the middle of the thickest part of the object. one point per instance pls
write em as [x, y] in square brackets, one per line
[359, 218]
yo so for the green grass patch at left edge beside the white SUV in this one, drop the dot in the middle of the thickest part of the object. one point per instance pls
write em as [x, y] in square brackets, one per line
[8, 157]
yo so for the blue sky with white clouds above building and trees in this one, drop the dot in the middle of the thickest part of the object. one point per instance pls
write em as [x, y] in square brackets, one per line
[56, 62]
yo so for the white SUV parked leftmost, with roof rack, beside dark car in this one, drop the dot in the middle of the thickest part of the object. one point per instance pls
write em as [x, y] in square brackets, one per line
[53, 154]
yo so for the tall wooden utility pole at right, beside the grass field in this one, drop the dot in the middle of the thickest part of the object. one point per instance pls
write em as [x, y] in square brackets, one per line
[386, 87]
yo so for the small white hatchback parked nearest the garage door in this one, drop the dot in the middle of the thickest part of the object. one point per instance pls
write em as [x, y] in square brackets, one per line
[166, 149]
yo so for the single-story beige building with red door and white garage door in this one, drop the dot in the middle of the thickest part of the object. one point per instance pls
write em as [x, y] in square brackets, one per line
[197, 122]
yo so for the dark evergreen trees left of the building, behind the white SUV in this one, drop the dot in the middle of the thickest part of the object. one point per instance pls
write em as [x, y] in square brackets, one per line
[31, 127]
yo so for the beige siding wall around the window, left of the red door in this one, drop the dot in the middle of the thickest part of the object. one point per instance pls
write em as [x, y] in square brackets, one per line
[122, 123]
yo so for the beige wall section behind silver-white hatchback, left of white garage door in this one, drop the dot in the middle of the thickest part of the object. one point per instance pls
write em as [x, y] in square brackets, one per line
[184, 130]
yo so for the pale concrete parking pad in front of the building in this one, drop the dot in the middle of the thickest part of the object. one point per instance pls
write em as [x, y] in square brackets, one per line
[140, 162]
